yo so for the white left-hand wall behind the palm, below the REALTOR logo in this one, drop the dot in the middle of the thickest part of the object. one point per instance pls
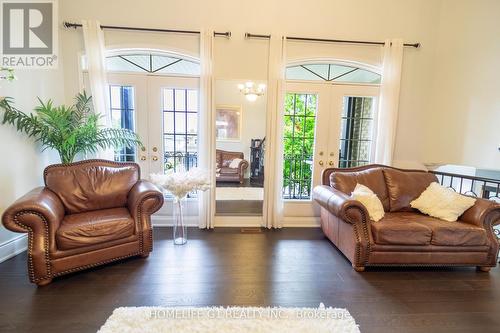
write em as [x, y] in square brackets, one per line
[22, 162]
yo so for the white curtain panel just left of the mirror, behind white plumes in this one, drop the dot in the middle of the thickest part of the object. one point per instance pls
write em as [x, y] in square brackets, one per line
[206, 128]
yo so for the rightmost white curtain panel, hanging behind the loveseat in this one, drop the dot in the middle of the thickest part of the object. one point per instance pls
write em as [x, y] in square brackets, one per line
[389, 101]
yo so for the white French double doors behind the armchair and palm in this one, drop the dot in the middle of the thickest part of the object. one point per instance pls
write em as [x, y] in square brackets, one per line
[164, 113]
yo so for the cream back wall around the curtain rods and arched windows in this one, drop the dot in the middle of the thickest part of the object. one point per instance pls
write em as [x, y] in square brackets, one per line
[412, 20]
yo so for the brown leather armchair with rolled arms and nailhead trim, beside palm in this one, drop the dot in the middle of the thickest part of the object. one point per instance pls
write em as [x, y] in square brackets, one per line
[89, 213]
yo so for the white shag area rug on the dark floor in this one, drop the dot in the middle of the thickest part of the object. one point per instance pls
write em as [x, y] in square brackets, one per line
[231, 319]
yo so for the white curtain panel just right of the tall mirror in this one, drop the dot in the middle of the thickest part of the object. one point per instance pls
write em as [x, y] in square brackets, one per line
[273, 200]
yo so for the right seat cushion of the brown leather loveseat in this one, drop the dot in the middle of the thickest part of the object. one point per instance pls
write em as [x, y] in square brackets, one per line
[456, 233]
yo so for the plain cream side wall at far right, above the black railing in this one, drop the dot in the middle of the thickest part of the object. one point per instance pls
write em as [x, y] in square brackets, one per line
[464, 109]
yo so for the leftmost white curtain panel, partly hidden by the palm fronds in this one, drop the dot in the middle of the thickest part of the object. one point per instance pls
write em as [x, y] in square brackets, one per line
[95, 50]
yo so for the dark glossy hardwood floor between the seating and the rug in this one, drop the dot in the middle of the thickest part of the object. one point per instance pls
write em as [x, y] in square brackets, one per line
[290, 267]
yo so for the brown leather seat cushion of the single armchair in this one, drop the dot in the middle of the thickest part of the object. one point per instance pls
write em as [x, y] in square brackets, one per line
[89, 228]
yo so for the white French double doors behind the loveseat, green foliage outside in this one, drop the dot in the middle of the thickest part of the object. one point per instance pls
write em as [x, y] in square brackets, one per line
[325, 126]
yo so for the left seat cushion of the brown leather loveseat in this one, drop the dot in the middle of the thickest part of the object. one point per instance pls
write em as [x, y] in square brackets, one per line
[401, 229]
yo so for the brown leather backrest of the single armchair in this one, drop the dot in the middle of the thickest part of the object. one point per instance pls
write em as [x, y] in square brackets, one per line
[92, 185]
